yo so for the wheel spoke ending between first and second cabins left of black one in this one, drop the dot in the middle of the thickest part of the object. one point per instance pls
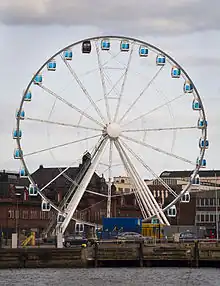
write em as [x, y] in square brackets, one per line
[76, 78]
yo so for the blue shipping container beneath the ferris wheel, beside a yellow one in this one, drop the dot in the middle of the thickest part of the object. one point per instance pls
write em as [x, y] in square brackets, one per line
[122, 224]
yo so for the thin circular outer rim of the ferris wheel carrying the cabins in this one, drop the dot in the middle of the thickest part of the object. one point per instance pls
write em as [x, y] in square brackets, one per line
[204, 131]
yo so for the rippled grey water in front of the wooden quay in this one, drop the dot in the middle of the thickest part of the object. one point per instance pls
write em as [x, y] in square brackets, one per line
[111, 277]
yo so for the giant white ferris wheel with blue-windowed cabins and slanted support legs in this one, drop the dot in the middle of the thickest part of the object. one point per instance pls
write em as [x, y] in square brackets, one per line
[127, 102]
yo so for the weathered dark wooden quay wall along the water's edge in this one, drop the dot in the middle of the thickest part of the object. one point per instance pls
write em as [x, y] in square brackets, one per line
[110, 254]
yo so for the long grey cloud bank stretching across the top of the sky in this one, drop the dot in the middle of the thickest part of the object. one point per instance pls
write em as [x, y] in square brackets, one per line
[168, 17]
